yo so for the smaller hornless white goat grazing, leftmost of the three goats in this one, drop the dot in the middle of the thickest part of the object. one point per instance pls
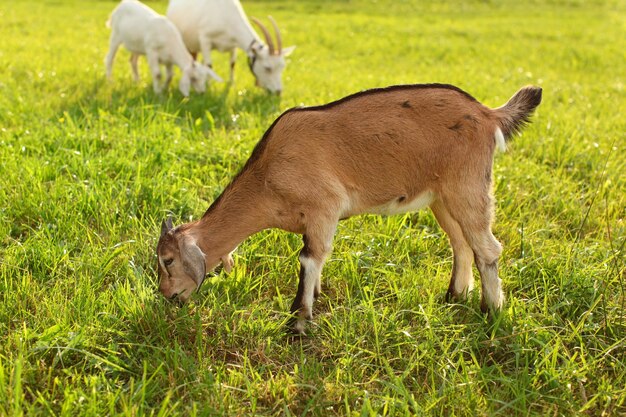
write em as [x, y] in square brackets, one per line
[145, 32]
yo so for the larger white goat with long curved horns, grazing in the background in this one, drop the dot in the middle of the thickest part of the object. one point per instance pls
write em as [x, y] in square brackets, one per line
[222, 24]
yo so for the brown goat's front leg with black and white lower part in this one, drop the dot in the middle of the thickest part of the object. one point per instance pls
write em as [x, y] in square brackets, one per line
[317, 247]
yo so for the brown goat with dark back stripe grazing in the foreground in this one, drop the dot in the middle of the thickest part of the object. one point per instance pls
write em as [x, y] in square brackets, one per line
[384, 151]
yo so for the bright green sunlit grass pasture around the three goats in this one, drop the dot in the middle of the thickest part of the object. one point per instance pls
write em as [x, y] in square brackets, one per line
[89, 169]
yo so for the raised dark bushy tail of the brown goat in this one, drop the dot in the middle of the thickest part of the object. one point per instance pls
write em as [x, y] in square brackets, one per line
[515, 114]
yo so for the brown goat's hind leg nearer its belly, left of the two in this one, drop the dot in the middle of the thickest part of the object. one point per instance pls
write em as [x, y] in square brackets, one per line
[462, 280]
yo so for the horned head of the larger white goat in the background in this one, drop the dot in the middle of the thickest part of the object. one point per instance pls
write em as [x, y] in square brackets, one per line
[267, 62]
